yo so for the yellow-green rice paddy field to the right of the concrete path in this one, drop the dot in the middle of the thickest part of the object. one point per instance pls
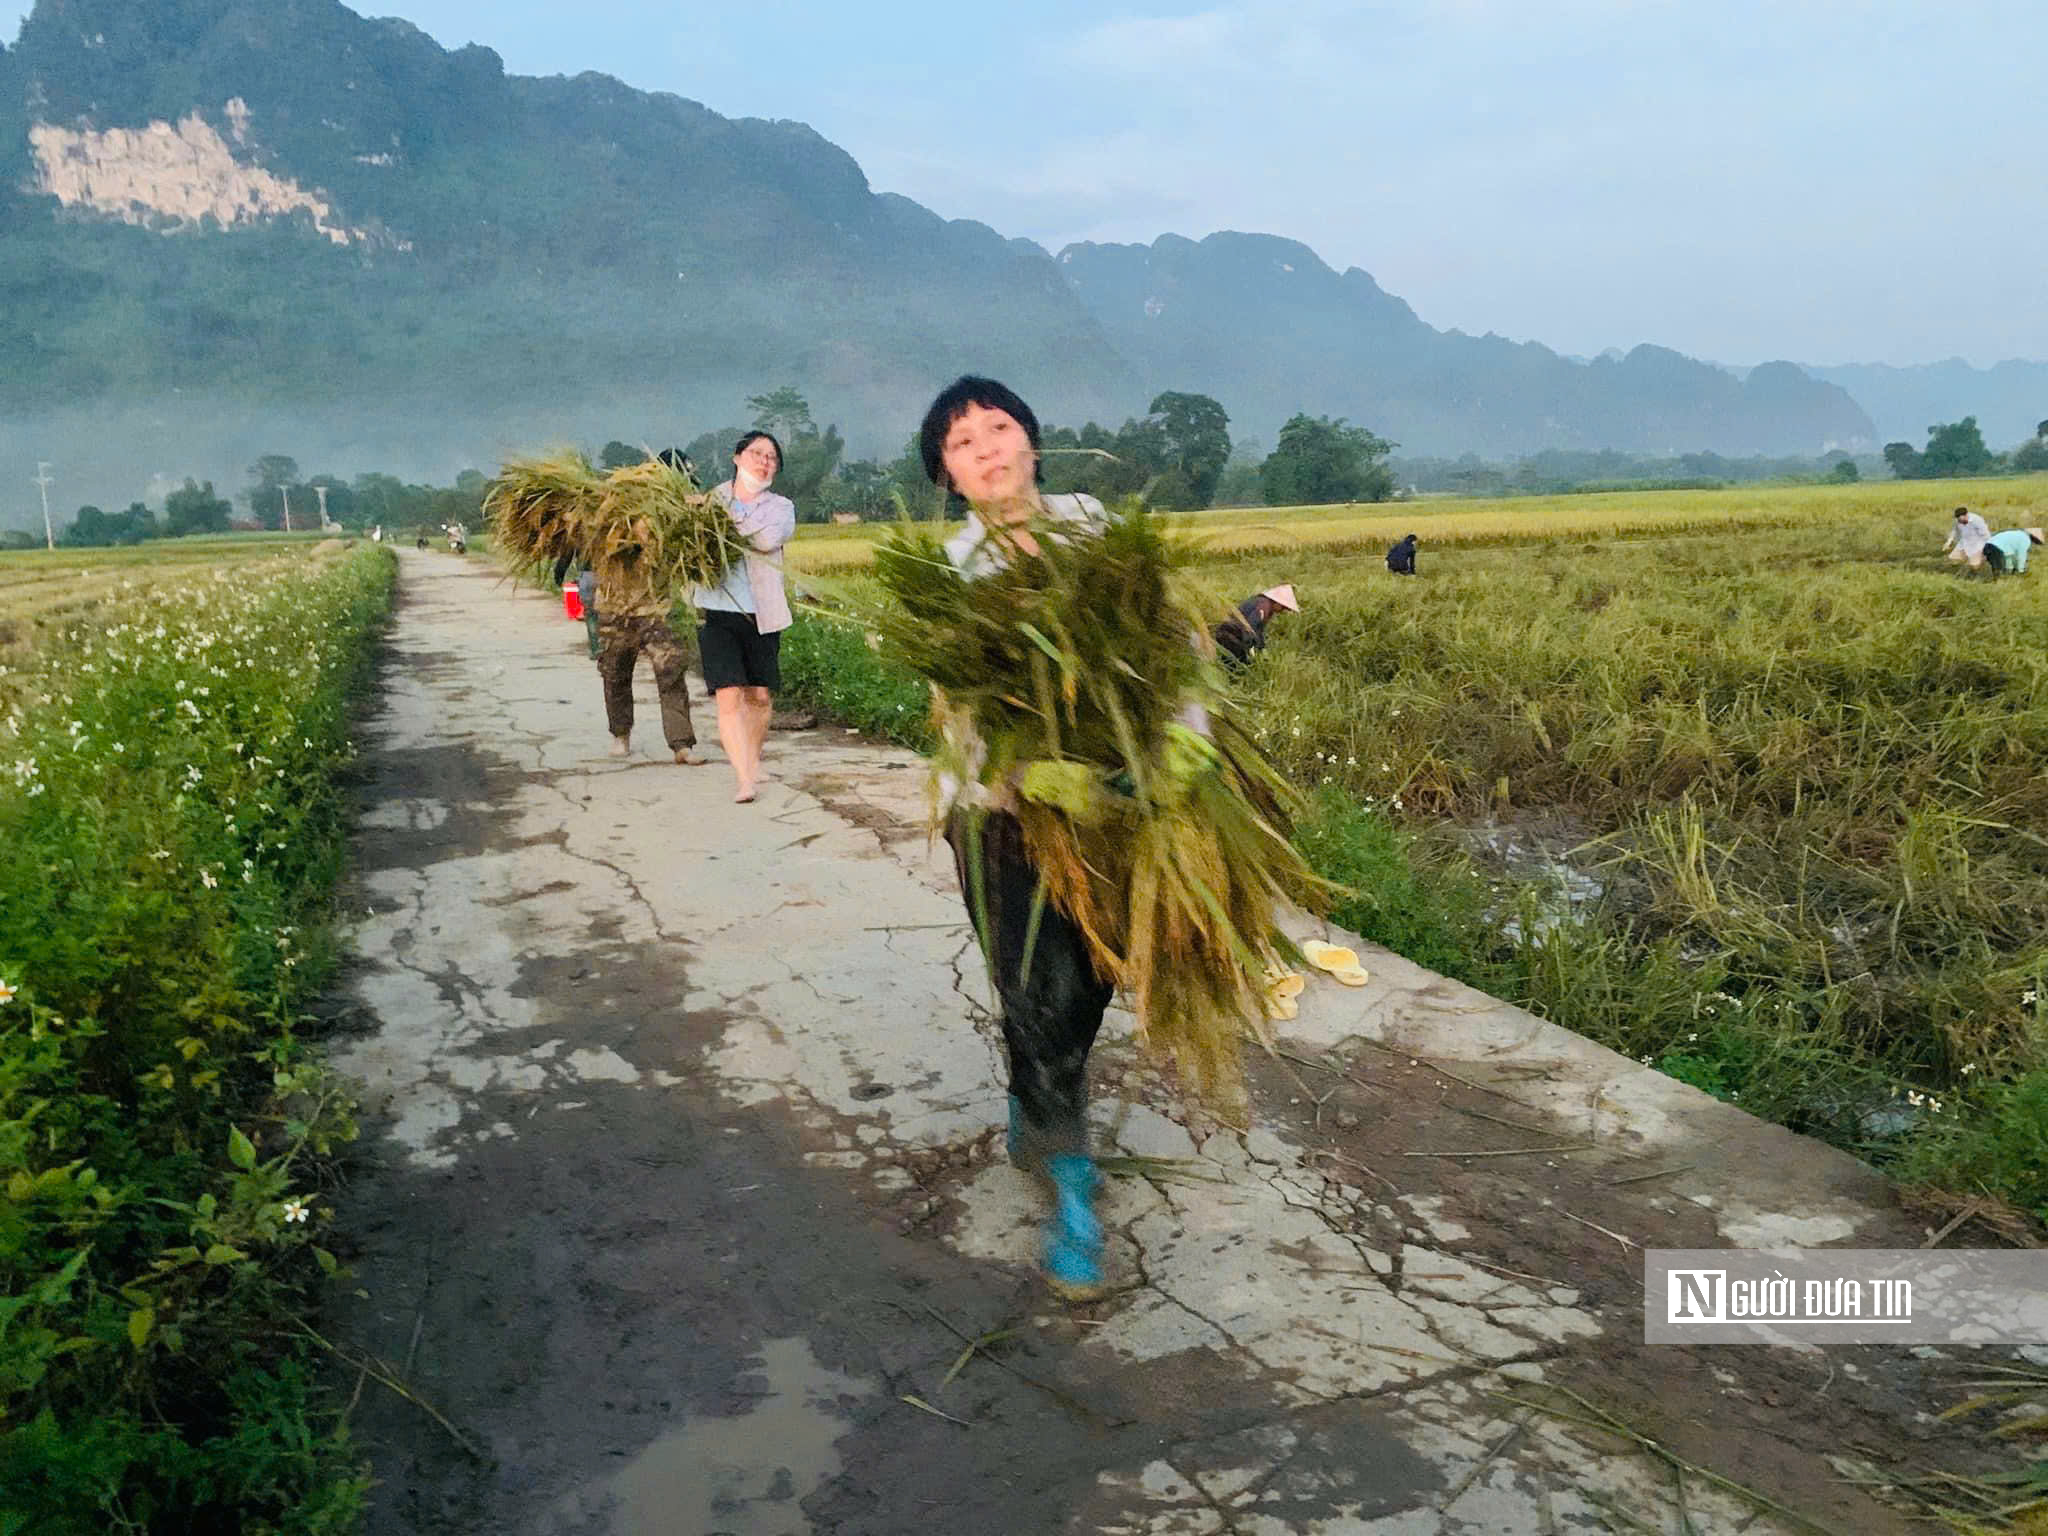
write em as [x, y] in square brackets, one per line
[1744, 783]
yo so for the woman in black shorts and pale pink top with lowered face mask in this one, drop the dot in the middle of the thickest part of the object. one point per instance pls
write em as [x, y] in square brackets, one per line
[740, 640]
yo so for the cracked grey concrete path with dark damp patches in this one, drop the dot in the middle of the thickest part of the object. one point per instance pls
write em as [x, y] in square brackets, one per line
[683, 1205]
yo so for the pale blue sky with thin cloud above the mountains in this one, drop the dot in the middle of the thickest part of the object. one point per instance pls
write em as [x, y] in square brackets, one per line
[1832, 181]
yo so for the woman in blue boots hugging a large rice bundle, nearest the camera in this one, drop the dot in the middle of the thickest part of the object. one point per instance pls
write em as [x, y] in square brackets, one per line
[1109, 828]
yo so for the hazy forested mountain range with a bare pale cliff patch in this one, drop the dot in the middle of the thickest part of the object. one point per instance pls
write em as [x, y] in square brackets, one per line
[275, 226]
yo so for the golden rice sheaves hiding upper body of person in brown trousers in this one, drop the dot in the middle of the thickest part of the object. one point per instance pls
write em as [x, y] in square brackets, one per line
[642, 527]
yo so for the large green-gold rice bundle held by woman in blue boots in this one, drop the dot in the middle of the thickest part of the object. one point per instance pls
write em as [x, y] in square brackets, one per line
[1078, 685]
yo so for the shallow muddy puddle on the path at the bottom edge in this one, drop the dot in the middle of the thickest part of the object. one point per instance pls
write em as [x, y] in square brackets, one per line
[744, 1476]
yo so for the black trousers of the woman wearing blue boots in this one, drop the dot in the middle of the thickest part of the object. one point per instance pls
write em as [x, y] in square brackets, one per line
[1052, 1007]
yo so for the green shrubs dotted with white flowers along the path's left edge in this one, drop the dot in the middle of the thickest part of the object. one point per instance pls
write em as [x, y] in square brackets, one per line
[171, 763]
